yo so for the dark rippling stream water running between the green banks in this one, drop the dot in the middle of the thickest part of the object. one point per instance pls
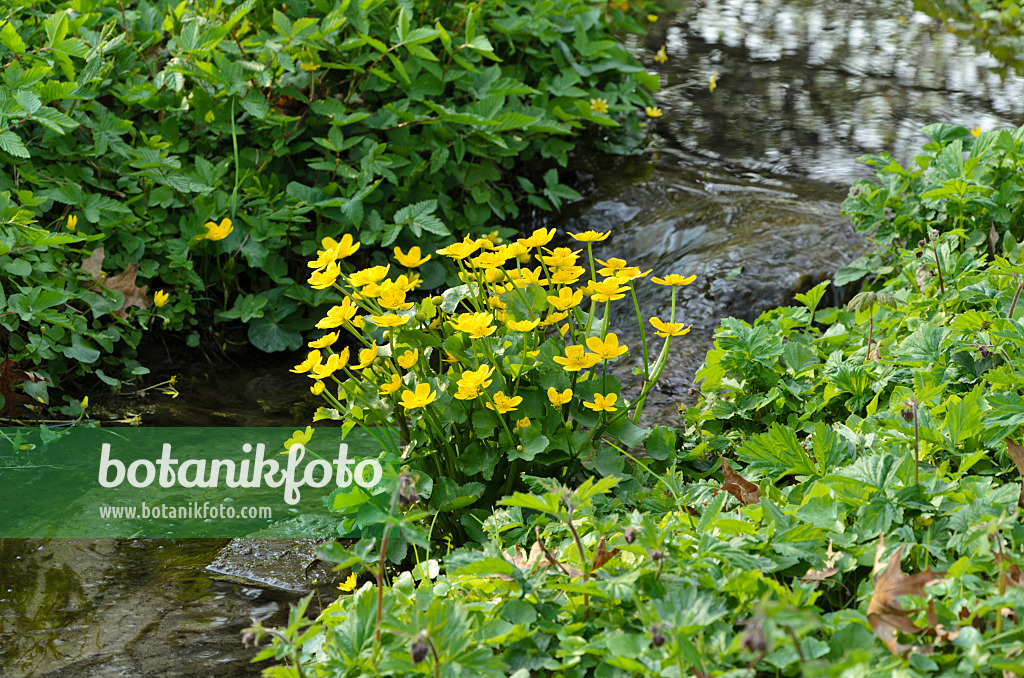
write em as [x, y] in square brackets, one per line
[741, 188]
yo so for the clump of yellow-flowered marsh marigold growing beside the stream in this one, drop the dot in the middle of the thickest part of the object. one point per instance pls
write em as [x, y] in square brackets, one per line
[501, 378]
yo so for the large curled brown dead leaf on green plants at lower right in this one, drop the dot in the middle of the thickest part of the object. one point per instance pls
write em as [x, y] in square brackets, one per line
[885, 614]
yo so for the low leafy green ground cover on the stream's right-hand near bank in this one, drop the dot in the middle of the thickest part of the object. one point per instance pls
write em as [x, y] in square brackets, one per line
[845, 500]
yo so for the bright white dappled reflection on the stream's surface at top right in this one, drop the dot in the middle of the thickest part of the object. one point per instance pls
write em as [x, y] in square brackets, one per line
[804, 89]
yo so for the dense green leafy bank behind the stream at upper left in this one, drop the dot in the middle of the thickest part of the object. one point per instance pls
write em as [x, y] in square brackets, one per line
[397, 122]
